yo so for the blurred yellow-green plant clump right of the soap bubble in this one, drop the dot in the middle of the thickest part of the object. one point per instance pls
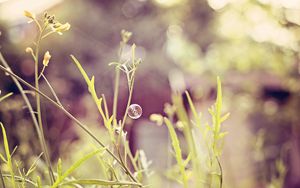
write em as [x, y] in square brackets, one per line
[200, 167]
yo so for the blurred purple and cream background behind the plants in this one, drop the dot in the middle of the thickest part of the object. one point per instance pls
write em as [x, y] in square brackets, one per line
[184, 44]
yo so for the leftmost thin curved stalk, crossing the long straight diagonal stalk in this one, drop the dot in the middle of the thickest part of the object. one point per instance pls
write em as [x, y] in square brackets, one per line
[35, 122]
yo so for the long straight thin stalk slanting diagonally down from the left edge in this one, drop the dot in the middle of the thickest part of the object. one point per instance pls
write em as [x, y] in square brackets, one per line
[81, 125]
